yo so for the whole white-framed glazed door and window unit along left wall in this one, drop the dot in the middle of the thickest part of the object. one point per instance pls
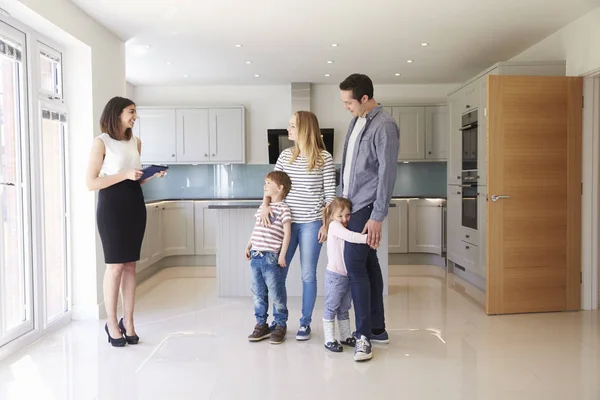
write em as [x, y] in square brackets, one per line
[34, 273]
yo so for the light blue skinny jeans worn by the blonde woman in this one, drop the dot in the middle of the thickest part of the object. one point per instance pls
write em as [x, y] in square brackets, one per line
[307, 237]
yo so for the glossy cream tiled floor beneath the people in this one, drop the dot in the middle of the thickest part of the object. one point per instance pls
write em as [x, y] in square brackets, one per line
[194, 346]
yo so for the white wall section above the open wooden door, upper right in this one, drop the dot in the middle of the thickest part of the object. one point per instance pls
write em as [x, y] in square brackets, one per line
[578, 43]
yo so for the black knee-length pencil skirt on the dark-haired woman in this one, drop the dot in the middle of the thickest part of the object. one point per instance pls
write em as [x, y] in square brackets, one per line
[121, 220]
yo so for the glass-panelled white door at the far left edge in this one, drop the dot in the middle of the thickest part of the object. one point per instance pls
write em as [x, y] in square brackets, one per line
[15, 244]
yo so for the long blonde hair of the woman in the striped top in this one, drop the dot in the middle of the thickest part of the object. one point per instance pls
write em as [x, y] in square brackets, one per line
[309, 140]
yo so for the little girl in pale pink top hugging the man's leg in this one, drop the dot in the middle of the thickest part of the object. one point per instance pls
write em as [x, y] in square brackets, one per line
[338, 298]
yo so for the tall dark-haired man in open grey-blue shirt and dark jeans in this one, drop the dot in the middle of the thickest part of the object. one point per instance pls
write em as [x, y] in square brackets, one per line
[368, 176]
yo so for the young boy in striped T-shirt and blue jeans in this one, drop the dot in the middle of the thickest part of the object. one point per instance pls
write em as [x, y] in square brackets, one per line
[266, 252]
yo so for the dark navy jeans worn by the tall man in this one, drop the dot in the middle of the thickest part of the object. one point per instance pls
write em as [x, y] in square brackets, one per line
[366, 281]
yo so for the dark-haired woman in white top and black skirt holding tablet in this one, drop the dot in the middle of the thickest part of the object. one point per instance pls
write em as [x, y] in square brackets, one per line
[114, 170]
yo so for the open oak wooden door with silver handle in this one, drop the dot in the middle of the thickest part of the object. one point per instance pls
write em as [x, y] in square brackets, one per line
[534, 159]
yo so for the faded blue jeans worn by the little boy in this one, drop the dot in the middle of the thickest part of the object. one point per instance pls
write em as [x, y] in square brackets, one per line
[268, 279]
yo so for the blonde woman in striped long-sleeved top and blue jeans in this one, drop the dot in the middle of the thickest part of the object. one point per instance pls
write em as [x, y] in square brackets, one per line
[312, 172]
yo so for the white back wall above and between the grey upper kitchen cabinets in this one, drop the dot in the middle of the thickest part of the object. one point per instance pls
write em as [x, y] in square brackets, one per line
[269, 107]
